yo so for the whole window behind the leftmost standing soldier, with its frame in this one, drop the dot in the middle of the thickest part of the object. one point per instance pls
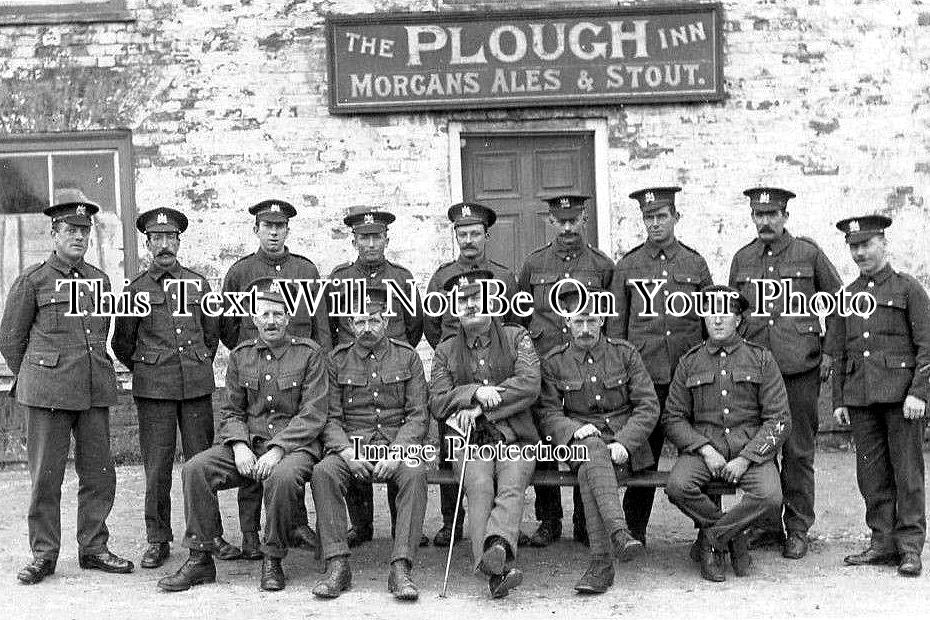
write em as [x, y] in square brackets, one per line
[39, 170]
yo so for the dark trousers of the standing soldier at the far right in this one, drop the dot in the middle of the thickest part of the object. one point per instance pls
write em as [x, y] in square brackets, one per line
[890, 473]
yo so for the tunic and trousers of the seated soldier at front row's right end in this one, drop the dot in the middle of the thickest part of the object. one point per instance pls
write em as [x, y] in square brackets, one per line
[730, 395]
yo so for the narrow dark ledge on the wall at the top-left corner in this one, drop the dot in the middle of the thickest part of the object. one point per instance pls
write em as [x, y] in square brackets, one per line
[62, 11]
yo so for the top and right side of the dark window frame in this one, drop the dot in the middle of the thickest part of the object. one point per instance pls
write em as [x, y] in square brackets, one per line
[119, 140]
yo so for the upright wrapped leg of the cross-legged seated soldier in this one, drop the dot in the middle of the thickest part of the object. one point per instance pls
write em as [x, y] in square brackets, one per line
[597, 481]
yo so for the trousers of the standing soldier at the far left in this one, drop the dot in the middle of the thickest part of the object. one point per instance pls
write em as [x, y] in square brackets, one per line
[48, 436]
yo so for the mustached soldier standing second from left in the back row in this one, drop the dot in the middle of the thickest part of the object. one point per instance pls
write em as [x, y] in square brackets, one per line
[171, 359]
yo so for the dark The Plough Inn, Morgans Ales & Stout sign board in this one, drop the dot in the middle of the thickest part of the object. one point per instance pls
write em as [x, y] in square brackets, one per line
[391, 62]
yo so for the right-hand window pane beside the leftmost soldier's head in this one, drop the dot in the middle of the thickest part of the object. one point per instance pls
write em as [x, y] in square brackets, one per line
[92, 176]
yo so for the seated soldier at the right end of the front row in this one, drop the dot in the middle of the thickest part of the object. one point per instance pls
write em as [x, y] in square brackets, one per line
[727, 412]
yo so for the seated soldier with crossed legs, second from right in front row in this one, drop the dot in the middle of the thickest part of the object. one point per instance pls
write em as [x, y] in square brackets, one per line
[597, 393]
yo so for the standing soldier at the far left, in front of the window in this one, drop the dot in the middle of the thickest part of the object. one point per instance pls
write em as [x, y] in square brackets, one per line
[66, 382]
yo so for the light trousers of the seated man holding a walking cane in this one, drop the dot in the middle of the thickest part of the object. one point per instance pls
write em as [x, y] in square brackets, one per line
[495, 490]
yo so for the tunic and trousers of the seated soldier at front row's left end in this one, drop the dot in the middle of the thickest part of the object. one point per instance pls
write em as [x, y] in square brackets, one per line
[276, 396]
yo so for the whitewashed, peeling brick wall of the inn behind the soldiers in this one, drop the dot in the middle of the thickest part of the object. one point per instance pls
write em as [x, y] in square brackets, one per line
[227, 102]
